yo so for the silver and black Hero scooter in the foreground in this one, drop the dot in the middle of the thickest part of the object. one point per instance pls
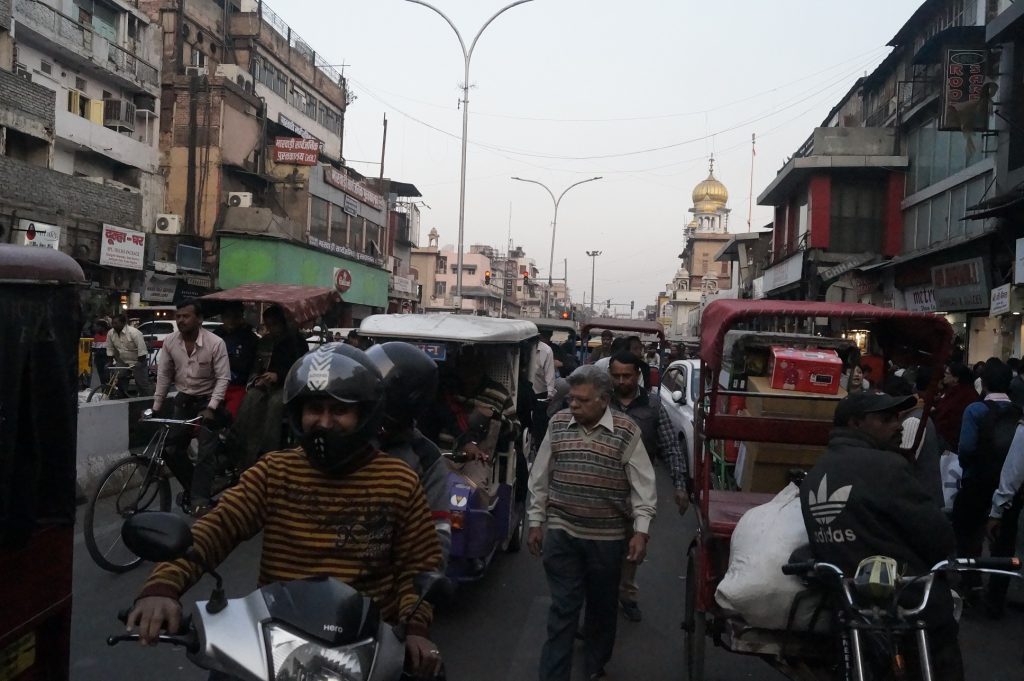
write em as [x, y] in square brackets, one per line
[318, 628]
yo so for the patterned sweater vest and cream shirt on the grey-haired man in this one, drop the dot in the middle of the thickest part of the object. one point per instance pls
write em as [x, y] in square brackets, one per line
[592, 483]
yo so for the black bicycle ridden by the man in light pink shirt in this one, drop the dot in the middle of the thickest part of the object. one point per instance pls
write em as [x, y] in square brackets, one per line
[138, 484]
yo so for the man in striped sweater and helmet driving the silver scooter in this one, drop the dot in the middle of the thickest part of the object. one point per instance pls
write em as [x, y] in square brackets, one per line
[336, 506]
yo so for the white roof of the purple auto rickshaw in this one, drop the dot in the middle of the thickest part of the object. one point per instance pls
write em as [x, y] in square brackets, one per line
[448, 327]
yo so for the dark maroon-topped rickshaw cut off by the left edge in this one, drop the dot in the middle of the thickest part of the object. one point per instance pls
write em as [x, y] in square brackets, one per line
[39, 373]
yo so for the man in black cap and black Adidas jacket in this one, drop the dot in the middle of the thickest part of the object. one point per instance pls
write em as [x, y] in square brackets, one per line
[863, 499]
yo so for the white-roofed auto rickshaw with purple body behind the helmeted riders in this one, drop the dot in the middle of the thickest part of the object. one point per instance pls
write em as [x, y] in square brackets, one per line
[485, 521]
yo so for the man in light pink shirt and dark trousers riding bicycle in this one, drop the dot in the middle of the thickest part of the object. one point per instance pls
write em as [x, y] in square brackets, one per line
[196, 362]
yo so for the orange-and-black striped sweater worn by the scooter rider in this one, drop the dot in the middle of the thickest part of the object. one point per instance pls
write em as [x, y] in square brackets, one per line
[371, 530]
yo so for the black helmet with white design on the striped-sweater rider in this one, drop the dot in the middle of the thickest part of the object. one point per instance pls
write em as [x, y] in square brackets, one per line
[342, 375]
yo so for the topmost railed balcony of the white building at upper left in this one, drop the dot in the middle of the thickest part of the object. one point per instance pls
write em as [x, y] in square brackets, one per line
[64, 37]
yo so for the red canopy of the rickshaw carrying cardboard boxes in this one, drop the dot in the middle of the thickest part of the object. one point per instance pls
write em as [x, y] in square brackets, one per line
[927, 333]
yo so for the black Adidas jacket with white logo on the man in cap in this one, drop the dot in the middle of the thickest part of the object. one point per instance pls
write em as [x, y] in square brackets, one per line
[861, 501]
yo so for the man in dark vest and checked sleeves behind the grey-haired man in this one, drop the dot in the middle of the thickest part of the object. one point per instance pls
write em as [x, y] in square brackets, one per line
[661, 442]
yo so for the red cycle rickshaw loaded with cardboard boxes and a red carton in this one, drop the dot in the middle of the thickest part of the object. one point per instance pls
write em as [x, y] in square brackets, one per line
[907, 338]
